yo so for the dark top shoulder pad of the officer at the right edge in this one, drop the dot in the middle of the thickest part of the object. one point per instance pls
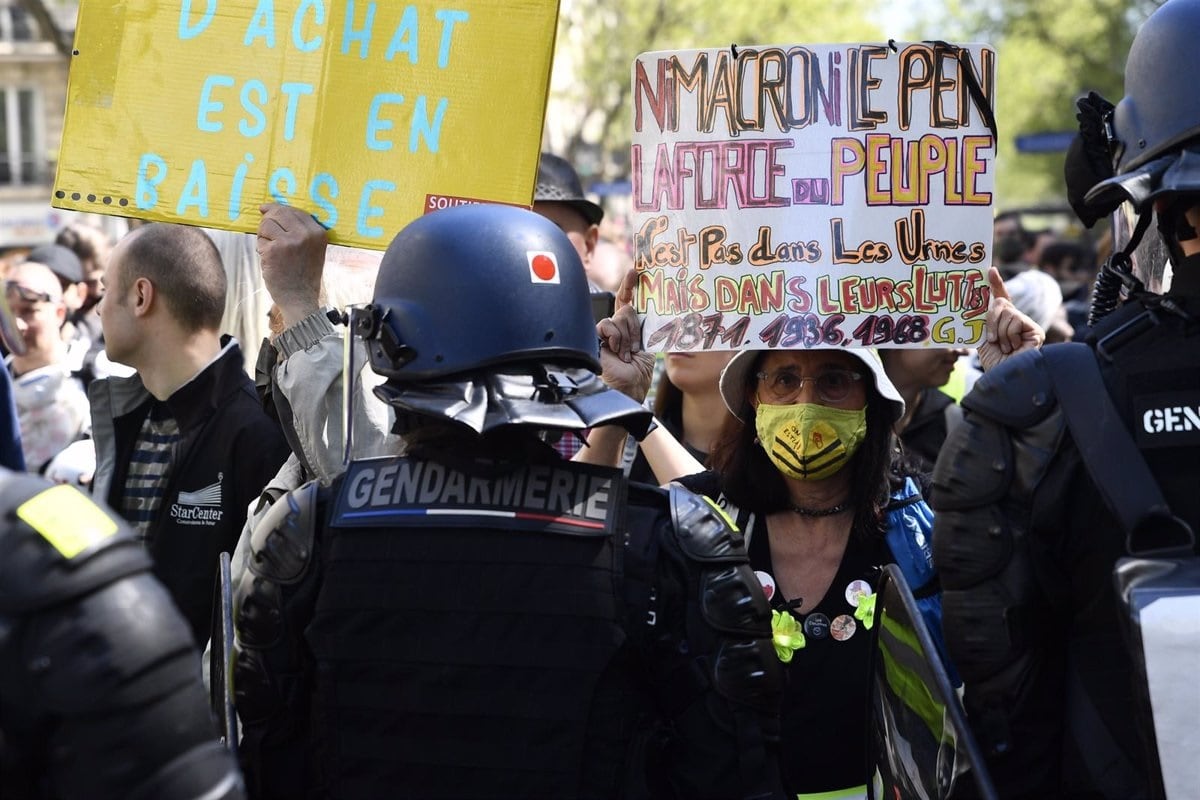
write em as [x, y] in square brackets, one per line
[1017, 394]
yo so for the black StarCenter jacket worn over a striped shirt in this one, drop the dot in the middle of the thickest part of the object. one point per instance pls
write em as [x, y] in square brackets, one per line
[230, 449]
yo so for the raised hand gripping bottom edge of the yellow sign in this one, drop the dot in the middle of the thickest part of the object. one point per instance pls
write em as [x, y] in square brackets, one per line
[292, 250]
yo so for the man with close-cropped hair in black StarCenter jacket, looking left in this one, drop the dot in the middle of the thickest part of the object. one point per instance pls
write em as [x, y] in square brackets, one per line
[184, 446]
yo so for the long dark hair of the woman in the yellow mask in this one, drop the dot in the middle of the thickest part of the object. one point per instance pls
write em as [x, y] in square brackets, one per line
[752, 483]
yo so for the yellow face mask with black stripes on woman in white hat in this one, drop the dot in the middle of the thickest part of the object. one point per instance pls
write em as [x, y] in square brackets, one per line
[809, 442]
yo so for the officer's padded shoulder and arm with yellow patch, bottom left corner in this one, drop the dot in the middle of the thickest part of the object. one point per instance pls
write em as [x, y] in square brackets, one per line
[100, 684]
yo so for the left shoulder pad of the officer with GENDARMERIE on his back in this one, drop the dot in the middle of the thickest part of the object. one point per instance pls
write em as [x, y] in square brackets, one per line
[281, 544]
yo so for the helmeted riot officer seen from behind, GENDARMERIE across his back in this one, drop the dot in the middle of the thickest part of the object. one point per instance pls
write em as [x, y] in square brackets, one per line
[477, 618]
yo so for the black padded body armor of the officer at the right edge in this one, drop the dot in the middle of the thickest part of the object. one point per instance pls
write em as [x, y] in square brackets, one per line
[1027, 548]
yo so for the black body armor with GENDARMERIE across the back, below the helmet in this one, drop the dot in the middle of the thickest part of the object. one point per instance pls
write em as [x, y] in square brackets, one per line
[527, 631]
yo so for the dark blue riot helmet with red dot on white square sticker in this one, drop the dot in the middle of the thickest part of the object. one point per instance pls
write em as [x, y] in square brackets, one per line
[477, 287]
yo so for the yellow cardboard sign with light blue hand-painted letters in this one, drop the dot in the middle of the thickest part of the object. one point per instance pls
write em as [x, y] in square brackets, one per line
[364, 113]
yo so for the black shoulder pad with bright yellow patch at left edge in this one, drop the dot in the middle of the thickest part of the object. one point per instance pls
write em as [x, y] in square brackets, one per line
[58, 545]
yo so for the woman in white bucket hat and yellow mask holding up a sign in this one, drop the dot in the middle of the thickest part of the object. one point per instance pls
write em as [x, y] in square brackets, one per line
[807, 466]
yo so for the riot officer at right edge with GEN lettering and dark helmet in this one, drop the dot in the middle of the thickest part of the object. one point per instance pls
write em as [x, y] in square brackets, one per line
[1049, 483]
